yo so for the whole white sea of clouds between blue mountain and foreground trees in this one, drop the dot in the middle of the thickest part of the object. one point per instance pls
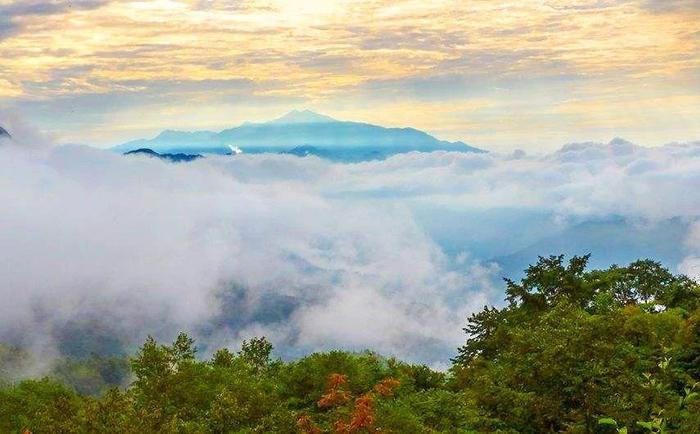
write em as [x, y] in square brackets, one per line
[388, 255]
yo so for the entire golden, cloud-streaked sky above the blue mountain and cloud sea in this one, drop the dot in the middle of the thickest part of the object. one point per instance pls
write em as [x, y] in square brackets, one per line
[499, 75]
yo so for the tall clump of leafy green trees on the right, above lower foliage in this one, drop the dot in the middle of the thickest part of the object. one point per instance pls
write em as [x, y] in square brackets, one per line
[574, 347]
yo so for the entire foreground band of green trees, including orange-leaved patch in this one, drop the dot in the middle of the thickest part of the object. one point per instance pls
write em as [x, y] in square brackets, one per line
[573, 350]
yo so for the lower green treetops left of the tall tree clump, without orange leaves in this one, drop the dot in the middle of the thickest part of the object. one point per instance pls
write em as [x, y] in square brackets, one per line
[173, 392]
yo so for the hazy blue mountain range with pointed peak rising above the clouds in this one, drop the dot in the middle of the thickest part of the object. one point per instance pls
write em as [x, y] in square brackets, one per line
[301, 133]
